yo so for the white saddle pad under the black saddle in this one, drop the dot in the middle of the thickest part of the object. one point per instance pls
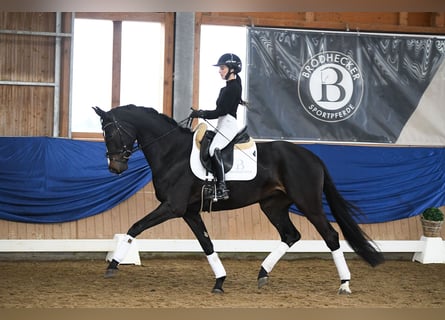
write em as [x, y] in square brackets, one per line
[244, 159]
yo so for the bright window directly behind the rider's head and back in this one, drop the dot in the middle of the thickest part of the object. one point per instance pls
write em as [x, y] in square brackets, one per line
[215, 41]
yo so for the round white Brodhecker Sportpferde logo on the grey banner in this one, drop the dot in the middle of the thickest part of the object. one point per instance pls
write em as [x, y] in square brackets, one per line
[330, 86]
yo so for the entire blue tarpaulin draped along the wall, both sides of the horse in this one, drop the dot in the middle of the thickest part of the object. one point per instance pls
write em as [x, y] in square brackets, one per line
[53, 180]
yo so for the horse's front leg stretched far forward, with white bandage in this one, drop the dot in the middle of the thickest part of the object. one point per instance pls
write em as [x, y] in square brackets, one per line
[162, 213]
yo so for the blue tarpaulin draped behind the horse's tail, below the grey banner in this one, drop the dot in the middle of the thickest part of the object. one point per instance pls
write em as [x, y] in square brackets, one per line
[387, 183]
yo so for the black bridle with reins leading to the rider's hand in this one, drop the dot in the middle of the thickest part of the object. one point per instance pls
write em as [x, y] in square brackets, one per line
[126, 152]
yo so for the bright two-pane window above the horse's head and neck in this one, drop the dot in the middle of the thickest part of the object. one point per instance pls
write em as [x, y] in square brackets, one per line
[107, 75]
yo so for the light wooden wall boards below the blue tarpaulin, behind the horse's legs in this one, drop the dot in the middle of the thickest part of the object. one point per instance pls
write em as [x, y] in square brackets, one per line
[244, 224]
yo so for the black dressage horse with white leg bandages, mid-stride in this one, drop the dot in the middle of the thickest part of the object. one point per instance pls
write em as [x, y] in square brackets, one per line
[286, 174]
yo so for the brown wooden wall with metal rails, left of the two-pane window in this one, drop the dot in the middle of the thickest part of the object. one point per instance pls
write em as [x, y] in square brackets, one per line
[26, 110]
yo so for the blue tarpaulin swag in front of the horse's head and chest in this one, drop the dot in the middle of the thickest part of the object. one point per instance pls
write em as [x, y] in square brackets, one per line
[45, 180]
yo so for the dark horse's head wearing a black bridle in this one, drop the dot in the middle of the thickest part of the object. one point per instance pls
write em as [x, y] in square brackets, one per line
[119, 141]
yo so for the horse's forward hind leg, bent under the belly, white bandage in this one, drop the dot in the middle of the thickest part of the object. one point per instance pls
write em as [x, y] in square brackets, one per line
[277, 211]
